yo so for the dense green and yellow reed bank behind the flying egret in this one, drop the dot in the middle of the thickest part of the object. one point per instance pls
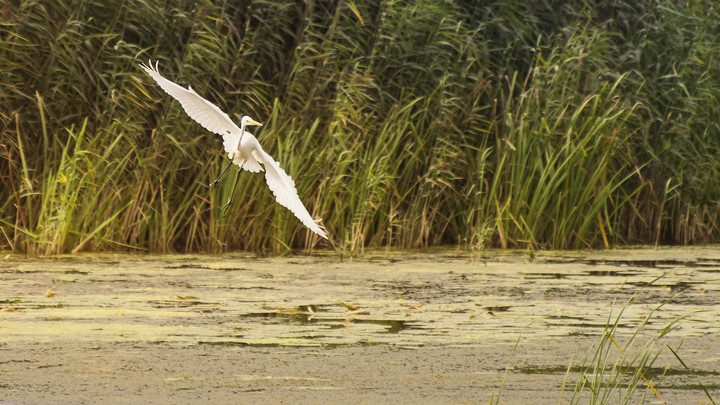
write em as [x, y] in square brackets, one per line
[558, 124]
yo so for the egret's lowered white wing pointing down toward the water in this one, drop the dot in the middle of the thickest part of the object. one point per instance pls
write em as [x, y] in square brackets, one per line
[283, 187]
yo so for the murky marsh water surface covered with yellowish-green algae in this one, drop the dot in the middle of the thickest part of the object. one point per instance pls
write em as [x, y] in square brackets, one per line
[402, 327]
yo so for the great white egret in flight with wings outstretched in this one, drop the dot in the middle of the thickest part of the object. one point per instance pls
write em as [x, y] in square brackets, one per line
[242, 147]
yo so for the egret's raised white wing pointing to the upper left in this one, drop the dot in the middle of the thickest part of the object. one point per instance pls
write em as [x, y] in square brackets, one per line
[204, 112]
